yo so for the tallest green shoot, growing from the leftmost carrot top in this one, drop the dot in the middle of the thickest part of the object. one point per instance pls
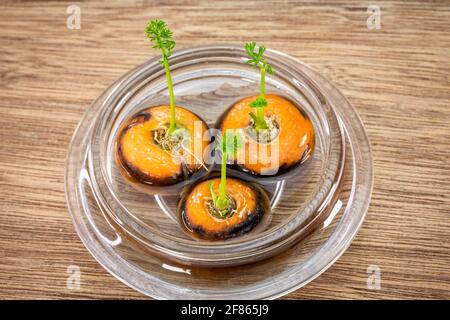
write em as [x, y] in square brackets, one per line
[161, 37]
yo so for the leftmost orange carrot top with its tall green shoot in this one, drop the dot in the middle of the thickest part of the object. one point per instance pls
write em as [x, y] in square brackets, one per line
[162, 145]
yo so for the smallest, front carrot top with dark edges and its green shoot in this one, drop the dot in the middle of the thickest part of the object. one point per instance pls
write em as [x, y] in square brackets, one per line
[223, 208]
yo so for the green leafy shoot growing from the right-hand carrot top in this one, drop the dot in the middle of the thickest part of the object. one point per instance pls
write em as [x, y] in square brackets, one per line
[257, 60]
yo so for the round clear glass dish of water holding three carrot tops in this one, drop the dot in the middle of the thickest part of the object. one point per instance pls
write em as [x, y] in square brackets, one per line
[317, 208]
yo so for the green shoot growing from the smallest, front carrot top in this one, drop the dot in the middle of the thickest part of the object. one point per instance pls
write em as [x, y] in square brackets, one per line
[229, 144]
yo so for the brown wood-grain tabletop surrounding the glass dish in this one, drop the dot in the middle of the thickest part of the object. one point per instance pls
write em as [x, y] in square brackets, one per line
[397, 77]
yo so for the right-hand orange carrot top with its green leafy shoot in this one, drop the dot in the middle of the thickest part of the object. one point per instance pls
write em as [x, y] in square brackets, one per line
[277, 135]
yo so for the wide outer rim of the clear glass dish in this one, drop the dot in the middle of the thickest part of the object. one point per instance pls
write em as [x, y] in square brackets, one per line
[286, 281]
